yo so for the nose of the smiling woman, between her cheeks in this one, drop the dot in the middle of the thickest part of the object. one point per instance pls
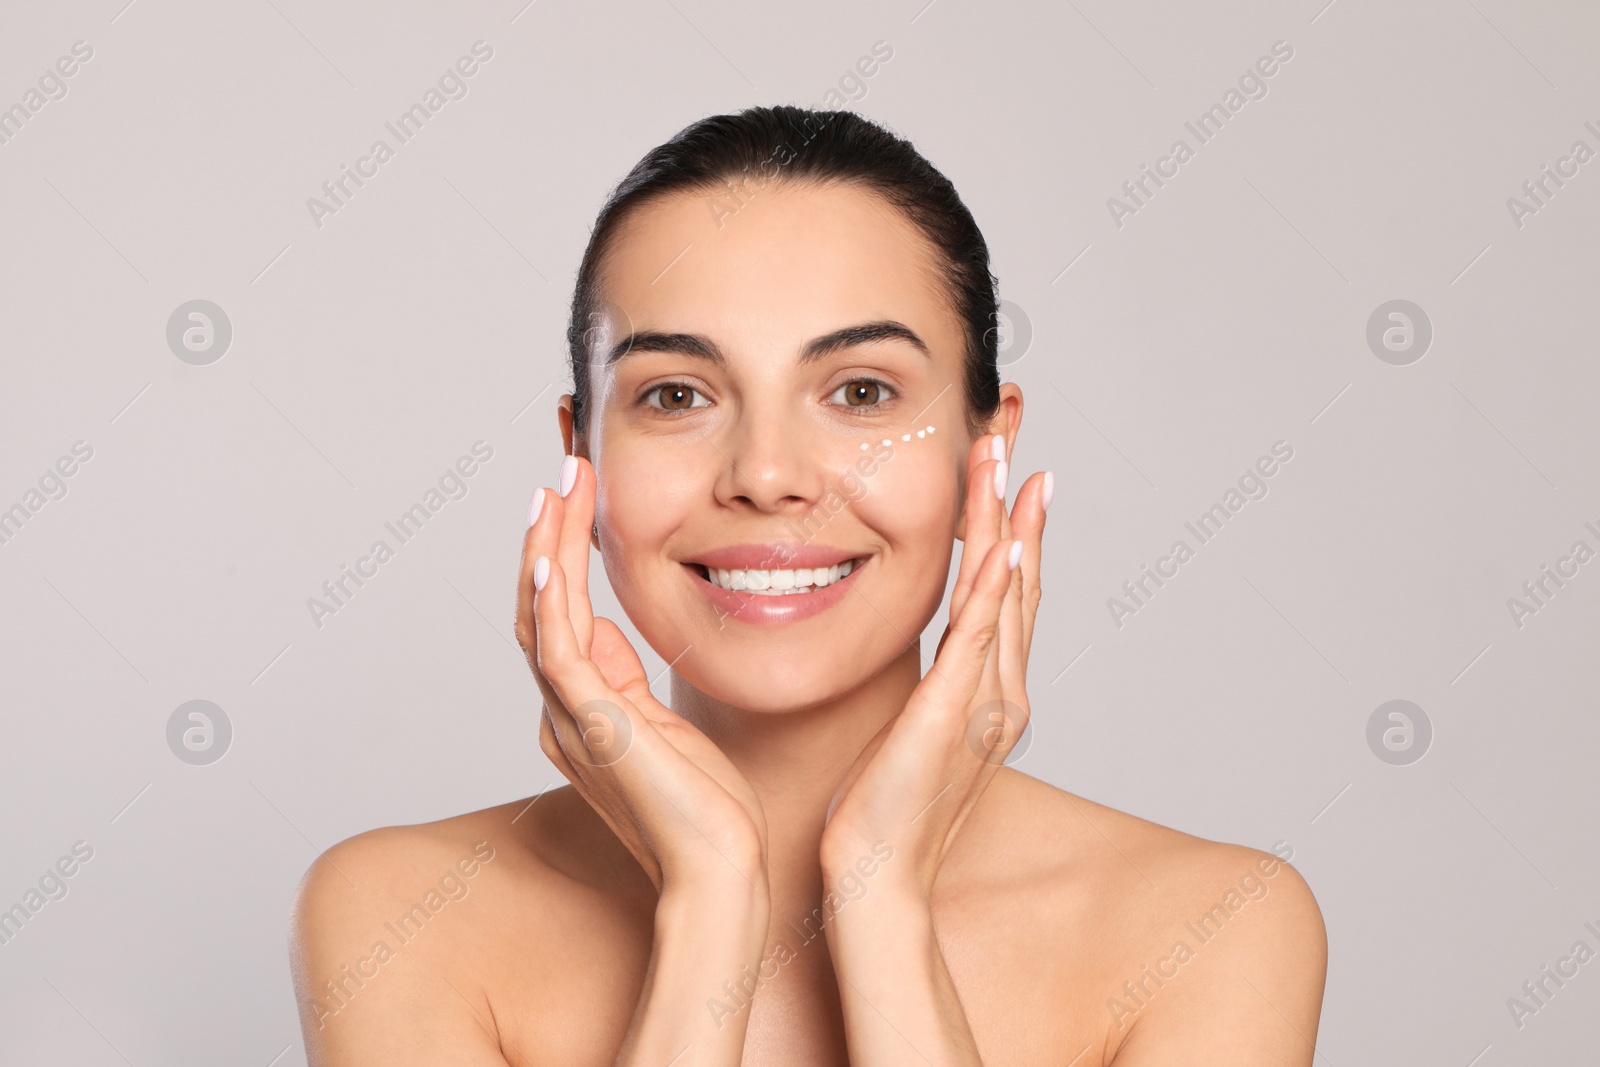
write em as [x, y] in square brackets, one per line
[769, 463]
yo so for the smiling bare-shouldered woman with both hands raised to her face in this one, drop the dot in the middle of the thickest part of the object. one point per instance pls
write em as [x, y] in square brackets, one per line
[785, 412]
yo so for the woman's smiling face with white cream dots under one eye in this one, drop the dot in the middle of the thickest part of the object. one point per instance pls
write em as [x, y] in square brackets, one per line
[745, 441]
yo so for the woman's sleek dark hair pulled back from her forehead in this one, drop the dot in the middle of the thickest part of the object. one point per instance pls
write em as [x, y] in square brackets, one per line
[799, 145]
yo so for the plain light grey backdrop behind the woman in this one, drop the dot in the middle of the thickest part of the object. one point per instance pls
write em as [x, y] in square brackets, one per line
[1167, 354]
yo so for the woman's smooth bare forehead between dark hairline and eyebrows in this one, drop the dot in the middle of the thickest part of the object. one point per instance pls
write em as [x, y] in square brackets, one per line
[796, 262]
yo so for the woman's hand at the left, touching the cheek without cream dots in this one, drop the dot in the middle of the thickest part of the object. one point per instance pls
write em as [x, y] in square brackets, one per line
[670, 794]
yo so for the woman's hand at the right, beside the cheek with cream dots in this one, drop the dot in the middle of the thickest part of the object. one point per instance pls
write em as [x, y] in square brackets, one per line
[919, 778]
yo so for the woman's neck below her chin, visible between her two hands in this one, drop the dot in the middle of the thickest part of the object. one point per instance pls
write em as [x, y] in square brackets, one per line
[796, 761]
